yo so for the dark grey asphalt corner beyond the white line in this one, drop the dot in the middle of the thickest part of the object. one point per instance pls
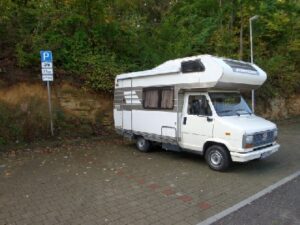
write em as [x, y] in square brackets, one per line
[280, 207]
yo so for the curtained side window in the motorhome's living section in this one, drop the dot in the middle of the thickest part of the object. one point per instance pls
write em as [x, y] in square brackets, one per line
[158, 98]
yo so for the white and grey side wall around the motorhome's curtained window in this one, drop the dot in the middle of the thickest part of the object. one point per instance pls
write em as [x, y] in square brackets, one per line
[132, 119]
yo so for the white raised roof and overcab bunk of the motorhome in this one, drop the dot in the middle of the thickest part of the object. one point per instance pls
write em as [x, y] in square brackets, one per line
[213, 71]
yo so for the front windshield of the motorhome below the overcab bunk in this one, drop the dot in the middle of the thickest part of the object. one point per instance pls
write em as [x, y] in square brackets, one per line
[229, 104]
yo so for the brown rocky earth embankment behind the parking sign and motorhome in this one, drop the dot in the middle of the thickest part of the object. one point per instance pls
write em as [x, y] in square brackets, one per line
[77, 112]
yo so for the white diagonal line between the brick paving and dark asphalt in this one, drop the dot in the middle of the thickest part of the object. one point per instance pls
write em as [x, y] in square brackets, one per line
[241, 204]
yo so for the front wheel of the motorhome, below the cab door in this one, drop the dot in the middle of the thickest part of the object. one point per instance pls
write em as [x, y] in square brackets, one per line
[218, 158]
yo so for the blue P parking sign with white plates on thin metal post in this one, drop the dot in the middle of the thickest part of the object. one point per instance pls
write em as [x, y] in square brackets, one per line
[47, 75]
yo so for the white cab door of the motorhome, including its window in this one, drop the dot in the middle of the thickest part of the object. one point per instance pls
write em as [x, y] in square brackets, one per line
[197, 123]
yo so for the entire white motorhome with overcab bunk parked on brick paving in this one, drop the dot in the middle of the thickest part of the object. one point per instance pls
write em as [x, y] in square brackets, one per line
[194, 104]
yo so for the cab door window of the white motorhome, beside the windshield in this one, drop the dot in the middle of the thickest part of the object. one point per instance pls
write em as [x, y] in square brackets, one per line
[198, 105]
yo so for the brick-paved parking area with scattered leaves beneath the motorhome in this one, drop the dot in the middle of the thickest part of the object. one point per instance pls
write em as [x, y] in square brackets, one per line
[110, 182]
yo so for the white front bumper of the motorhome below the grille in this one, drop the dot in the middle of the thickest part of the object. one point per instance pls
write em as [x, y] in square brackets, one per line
[247, 156]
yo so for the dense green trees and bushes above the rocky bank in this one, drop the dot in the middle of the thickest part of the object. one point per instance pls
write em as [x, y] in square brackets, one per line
[93, 40]
